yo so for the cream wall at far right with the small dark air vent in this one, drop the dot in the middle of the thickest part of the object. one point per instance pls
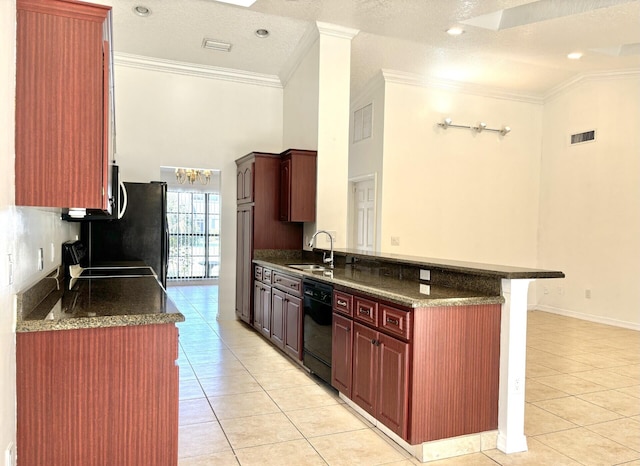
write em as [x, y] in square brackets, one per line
[590, 201]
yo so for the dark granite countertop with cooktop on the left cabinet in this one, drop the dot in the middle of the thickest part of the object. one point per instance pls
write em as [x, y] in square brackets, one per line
[92, 303]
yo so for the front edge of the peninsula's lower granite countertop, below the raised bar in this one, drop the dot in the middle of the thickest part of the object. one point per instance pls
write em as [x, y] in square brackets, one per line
[386, 295]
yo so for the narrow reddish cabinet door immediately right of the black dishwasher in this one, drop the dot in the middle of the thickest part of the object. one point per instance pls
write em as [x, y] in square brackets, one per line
[341, 347]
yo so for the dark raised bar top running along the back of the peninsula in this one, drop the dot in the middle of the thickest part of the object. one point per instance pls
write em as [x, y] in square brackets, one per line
[502, 271]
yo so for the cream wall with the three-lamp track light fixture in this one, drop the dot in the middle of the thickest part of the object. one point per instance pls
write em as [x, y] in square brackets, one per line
[453, 193]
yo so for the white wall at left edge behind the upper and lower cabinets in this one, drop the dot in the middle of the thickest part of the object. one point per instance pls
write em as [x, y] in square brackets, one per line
[24, 230]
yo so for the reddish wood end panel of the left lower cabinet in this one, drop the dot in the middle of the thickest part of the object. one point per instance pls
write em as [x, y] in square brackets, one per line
[99, 396]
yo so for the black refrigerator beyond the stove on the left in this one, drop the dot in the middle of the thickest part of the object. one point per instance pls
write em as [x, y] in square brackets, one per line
[142, 234]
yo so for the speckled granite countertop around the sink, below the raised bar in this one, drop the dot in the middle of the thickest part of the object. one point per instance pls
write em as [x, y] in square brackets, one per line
[377, 285]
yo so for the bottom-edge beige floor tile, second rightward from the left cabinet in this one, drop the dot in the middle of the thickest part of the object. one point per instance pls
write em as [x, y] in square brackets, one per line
[296, 452]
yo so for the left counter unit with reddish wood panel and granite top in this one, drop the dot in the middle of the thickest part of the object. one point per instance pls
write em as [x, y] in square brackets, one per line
[97, 381]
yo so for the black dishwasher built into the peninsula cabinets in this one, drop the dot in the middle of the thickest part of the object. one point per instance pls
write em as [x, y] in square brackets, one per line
[318, 298]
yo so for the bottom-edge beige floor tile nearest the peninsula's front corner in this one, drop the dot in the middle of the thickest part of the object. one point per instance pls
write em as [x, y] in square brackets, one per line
[356, 447]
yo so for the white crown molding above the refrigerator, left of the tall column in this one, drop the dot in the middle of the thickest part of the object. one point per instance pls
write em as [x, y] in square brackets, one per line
[190, 69]
